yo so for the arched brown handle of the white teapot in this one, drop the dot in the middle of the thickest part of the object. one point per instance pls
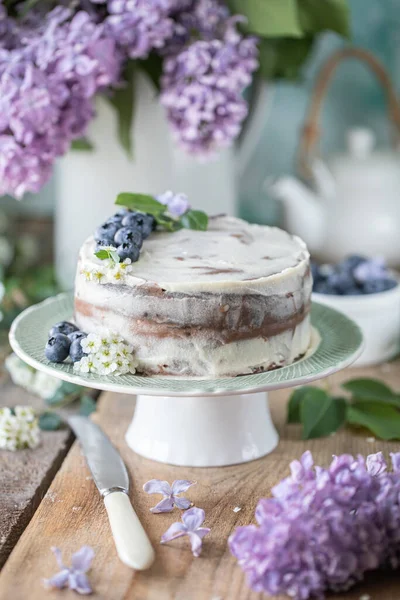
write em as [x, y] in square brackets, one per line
[311, 131]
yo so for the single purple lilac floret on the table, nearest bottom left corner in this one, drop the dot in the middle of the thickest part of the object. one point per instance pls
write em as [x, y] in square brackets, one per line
[73, 577]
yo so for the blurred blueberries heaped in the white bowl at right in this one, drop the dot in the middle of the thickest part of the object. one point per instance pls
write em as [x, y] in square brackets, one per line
[354, 276]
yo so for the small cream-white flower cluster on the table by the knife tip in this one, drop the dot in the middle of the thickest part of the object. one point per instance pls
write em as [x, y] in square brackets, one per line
[19, 428]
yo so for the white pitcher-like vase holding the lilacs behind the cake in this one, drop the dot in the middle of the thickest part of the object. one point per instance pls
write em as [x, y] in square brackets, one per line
[87, 182]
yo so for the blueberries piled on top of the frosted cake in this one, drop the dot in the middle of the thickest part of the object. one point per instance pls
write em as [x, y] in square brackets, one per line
[125, 230]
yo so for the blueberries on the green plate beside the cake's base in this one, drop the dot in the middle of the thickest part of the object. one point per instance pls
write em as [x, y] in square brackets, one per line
[64, 341]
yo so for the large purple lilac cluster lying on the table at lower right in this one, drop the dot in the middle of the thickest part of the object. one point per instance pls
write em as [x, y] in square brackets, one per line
[324, 528]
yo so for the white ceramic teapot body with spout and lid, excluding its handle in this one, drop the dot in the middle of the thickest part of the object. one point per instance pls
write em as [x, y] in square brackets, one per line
[354, 206]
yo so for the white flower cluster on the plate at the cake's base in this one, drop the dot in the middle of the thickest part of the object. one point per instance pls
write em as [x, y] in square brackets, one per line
[106, 355]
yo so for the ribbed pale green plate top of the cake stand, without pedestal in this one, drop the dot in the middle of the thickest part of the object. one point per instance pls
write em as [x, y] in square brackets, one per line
[339, 345]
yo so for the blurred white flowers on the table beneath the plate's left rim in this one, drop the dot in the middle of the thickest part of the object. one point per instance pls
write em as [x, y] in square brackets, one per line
[35, 382]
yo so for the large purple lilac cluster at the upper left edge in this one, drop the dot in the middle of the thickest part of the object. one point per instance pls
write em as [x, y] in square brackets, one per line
[47, 87]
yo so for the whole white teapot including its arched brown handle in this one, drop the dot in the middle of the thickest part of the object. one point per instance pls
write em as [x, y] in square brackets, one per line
[353, 204]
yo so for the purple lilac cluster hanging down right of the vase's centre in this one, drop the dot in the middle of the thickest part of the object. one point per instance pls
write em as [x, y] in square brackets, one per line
[204, 80]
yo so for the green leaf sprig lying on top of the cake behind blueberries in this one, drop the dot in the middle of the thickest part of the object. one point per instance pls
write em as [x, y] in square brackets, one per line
[191, 219]
